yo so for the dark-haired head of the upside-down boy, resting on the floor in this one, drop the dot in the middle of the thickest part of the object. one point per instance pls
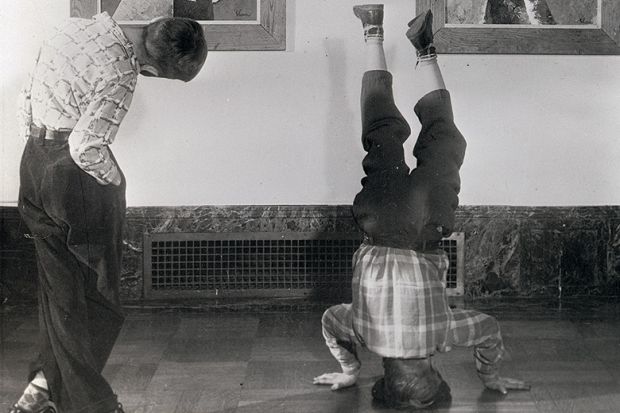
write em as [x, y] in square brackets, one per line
[410, 383]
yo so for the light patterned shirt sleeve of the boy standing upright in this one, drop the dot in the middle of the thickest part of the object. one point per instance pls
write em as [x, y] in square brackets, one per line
[97, 128]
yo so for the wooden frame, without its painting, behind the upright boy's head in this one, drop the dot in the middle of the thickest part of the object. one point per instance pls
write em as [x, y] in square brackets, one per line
[266, 33]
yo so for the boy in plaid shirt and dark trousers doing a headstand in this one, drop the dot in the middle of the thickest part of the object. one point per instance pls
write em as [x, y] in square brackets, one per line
[400, 309]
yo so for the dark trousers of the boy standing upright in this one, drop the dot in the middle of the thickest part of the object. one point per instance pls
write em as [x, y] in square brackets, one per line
[76, 225]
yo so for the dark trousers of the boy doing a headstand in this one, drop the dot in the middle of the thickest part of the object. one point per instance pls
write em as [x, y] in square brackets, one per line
[396, 207]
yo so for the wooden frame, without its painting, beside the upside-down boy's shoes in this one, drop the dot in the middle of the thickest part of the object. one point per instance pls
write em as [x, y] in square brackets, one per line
[602, 38]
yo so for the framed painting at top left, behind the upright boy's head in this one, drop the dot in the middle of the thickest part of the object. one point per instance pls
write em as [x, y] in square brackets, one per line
[228, 24]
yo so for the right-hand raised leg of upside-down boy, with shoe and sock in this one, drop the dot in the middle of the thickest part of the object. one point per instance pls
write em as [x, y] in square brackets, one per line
[440, 147]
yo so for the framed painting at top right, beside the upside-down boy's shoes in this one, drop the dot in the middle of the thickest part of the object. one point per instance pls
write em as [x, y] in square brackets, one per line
[571, 27]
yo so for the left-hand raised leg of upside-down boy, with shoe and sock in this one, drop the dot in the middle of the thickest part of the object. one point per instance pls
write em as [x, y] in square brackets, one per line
[384, 130]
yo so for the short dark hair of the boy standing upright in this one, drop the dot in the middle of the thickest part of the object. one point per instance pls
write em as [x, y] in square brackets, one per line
[177, 45]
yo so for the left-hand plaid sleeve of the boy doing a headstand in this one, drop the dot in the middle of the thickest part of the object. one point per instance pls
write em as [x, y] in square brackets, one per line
[339, 337]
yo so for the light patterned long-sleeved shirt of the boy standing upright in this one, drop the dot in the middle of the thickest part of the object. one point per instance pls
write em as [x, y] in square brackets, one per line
[83, 81]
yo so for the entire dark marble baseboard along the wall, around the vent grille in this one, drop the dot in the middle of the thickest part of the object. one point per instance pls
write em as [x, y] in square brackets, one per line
[517, 251]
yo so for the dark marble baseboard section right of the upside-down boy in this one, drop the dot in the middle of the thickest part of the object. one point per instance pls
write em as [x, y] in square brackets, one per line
[530, 251]
